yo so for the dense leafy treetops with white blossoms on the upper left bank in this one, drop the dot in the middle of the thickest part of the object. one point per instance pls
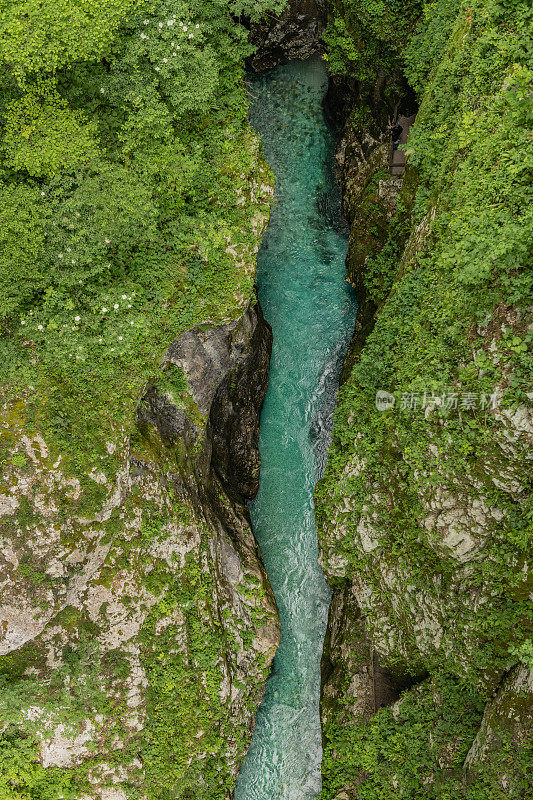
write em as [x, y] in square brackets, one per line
[127, 166]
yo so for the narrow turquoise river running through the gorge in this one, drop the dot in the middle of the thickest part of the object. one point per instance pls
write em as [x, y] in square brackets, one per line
[311, 309]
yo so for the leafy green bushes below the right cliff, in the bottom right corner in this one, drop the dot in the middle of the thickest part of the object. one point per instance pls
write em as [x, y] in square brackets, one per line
[418, 751]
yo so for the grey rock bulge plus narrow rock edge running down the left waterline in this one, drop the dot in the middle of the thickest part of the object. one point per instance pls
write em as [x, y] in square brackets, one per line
[225, 372]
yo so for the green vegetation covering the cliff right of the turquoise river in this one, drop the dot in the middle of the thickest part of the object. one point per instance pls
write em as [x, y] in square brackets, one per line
[451, 319]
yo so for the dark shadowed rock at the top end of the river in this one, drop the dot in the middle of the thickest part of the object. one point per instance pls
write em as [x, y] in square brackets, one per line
[295, 34]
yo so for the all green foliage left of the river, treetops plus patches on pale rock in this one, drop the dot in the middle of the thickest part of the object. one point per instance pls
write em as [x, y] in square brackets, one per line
[132, 194]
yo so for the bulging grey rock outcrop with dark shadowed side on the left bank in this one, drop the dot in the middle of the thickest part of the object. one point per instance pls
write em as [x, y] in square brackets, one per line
[226, 372]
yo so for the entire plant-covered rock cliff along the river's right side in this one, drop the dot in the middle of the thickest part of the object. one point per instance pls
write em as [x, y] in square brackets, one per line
[420, 509]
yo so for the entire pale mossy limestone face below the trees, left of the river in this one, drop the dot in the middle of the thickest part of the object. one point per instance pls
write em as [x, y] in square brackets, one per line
[152, 615]
